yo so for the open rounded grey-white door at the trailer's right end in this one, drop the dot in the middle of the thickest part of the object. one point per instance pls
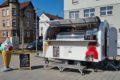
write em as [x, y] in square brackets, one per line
[112, 42]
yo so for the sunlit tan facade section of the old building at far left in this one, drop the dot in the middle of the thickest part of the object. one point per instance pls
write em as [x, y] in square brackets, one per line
[9, 19]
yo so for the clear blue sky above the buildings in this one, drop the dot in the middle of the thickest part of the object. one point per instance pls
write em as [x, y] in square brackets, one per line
[54, 7]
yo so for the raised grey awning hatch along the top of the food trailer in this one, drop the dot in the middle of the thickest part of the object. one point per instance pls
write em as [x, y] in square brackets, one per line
[75, 22]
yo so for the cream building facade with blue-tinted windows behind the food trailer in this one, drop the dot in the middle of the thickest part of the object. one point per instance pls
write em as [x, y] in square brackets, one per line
[106, 9]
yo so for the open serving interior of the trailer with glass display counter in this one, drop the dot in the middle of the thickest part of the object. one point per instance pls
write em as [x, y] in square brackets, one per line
[86, 31]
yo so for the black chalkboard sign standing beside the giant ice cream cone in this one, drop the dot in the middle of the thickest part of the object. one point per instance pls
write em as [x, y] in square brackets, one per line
[24, 61]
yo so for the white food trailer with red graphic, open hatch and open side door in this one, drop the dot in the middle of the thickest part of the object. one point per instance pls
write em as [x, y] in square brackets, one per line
[73, 41]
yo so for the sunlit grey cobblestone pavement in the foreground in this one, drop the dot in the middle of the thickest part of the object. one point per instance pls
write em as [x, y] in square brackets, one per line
[38, 73]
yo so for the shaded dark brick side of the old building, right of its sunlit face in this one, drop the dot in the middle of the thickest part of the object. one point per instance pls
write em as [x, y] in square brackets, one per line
[27, 22]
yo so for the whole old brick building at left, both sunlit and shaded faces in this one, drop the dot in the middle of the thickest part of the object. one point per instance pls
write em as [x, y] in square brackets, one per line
[17, 18]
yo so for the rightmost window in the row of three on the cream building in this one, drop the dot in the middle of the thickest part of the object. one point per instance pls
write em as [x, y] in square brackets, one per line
[106, 10]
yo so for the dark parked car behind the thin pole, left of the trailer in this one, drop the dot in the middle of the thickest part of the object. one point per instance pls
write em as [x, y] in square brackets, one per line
[32, 45]
